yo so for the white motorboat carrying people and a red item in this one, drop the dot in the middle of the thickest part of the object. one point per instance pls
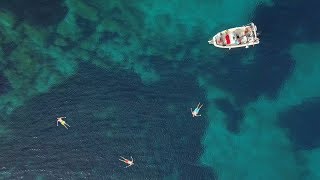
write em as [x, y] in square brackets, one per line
[244, 36]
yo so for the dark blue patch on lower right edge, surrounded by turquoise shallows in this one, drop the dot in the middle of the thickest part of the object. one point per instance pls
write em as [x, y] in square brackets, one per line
[303, 124]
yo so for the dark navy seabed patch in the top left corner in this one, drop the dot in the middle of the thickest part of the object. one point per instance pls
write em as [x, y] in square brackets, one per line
[37, 12]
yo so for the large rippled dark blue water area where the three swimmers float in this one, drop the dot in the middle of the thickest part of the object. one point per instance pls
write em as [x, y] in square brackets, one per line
[156, 139]
